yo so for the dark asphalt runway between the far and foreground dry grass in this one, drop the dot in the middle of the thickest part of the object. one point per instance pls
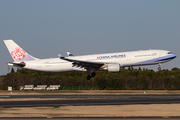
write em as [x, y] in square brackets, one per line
[96, 100]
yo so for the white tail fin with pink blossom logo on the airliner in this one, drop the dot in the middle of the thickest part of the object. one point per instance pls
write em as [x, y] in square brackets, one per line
[17, 53]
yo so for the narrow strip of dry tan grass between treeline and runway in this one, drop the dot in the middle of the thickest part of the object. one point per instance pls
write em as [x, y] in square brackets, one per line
[74, 92]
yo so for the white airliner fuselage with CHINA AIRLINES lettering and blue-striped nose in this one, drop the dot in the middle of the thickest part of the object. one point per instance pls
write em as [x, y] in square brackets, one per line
[124, 59]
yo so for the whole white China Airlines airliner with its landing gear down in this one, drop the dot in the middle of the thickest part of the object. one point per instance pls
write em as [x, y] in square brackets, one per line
[112, 62]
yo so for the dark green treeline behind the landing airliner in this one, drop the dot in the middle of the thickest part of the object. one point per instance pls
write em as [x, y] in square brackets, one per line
[126, 79]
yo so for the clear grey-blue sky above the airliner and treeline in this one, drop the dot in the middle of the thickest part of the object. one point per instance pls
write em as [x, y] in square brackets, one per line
[46, 28]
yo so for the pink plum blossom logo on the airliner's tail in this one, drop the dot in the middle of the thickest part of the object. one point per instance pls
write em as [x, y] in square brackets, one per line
[18, 53]
